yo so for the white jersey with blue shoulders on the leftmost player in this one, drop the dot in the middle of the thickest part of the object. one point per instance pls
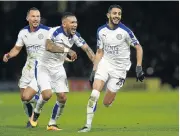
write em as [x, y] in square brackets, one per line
[34, 42]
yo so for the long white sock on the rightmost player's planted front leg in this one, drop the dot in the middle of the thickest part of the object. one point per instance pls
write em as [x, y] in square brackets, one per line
[91, 106]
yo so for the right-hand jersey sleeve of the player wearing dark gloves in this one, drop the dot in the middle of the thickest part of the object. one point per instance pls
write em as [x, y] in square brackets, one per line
[131, 39]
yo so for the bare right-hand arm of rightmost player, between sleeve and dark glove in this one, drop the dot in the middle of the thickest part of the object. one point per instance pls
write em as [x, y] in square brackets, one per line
[139, 54]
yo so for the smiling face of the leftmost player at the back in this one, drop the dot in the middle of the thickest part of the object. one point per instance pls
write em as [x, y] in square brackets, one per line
[34, 18]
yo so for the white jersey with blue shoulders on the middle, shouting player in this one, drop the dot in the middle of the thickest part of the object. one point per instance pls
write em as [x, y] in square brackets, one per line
[57, 35]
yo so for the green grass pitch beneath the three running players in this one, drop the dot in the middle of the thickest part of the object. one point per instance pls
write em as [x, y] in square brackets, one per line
[132, 114]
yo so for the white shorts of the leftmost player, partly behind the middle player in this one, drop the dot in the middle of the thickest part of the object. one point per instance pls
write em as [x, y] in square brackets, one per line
[28, 77]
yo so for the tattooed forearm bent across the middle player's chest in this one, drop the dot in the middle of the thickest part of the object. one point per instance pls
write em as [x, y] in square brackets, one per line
[52, 47]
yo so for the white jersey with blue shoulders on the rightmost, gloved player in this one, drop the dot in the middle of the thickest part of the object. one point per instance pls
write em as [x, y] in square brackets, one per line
[116, 43]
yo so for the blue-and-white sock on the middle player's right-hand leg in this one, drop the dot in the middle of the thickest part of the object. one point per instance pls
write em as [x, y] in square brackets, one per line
[57, 111]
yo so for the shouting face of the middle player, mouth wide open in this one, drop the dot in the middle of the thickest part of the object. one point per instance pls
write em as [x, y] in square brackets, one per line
[71, 25]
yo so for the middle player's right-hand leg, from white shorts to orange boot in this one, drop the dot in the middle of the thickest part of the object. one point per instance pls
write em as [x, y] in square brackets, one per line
[60, 87]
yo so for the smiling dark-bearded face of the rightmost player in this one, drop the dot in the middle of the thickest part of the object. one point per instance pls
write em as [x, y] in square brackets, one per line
[115, 16]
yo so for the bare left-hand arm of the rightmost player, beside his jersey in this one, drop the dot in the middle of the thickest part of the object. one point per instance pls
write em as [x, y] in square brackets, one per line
[99, 54]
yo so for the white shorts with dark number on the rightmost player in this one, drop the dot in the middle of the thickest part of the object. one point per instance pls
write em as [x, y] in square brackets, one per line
[113, 75]
